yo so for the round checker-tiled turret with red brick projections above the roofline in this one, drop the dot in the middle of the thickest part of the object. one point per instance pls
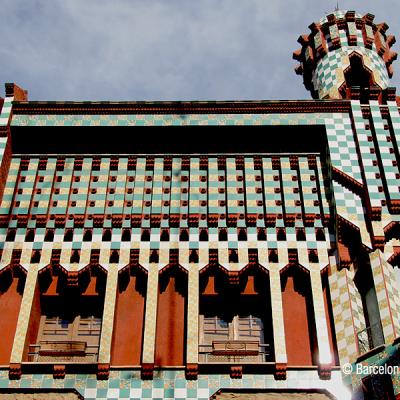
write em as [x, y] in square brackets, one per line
[345, 49]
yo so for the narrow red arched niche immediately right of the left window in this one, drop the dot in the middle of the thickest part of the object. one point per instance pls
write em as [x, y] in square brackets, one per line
[129, 317]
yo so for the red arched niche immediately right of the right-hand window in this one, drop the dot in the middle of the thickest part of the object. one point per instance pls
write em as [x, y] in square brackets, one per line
[298, 314]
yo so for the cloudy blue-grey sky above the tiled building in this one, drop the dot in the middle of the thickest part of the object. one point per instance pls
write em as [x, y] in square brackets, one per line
[164, 49]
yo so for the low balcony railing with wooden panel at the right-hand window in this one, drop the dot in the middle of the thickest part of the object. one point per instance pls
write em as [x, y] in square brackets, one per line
[234, 351]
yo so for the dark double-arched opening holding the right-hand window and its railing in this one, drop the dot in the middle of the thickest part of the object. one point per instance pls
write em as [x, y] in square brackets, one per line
[235, 314]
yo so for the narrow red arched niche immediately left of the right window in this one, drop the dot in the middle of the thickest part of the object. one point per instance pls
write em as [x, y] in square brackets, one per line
[171, 317]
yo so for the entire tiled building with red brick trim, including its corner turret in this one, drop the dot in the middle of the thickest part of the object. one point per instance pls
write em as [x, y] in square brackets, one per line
[159, 250]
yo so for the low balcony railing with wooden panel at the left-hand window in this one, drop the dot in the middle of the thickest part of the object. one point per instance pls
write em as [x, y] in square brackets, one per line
[63, 351]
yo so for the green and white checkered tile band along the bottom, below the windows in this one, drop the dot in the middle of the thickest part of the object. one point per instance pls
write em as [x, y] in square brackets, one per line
[171, 384]
